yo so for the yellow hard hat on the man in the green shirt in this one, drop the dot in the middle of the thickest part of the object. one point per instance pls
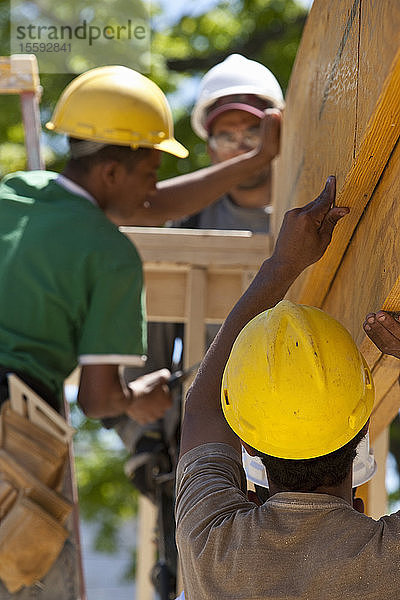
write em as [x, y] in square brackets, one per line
[116, 105]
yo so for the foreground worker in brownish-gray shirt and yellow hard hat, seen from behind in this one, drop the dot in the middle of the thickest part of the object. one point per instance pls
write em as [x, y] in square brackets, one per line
[288, 383]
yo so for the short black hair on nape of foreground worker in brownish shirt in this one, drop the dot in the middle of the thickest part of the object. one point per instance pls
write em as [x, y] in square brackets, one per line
[306, 475]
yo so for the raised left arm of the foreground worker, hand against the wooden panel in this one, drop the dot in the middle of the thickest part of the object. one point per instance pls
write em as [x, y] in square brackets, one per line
[305, 234]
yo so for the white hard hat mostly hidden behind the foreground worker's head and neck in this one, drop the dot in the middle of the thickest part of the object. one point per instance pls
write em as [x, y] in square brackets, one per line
[364, 465]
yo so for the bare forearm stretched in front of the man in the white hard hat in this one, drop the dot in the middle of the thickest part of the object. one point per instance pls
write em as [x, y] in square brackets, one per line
[187, 194]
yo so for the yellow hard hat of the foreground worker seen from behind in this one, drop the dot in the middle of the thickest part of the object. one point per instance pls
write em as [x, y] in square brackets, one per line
[295, 385]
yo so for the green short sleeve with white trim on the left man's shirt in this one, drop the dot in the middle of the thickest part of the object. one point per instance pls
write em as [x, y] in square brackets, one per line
[114, 331]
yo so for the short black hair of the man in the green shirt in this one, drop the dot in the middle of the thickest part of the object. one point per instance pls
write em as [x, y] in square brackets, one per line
[123, 154]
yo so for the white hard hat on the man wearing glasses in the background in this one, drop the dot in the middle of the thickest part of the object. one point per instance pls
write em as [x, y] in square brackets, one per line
[236, 77]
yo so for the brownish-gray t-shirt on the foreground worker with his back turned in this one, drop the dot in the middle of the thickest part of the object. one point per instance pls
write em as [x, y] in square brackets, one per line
[295, 546]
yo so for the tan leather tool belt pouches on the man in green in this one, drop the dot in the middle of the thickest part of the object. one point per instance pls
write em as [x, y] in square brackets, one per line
[34, 442]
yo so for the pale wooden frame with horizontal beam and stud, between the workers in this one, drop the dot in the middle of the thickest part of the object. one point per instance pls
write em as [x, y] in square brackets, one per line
[194, 277]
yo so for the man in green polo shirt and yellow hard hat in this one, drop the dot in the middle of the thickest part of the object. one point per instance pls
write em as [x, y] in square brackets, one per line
[71, 284]
